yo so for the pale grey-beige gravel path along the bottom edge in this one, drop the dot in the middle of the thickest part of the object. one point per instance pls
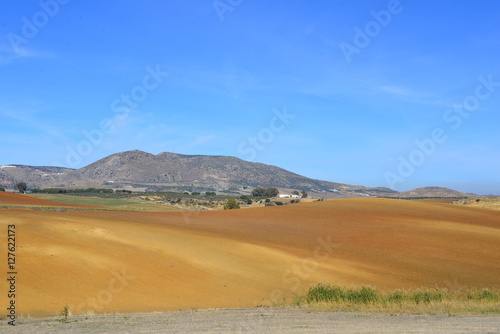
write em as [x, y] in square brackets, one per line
[259, 320]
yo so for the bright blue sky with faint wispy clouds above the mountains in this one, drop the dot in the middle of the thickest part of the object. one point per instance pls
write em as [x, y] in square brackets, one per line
[378, 93]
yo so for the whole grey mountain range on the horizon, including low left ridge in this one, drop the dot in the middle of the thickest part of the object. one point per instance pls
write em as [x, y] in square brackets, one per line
[169, 171]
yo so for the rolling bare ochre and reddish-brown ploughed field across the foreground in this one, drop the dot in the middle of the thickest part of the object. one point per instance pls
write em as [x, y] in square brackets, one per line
[117, 261]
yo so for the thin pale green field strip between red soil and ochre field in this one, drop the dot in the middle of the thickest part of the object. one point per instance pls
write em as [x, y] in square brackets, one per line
[132, 204]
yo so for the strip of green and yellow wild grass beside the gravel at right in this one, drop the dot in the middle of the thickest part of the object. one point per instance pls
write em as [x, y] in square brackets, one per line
[367, 299]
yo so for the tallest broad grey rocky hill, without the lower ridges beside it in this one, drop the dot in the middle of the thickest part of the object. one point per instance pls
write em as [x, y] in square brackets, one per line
[192, 171]
